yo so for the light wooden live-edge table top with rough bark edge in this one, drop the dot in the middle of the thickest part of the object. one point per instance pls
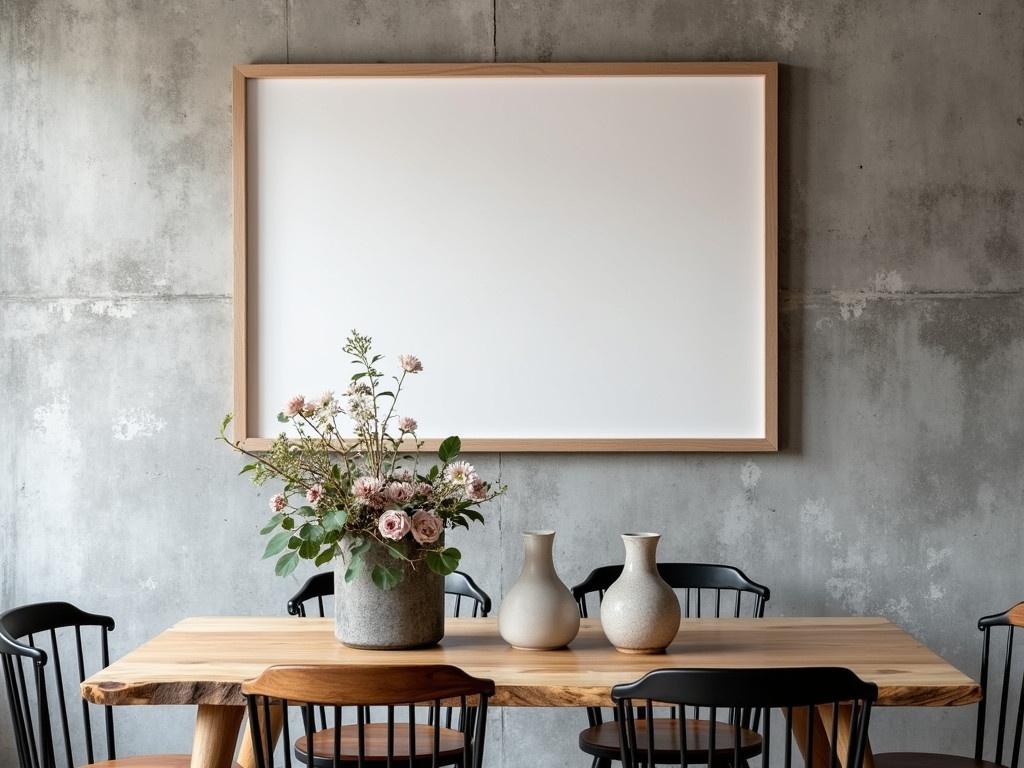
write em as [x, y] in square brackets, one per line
[204, 661]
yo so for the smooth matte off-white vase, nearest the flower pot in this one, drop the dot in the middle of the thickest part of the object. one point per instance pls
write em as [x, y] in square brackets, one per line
[539, 613]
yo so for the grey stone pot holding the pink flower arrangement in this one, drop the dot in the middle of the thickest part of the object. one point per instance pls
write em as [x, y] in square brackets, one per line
[411, 616]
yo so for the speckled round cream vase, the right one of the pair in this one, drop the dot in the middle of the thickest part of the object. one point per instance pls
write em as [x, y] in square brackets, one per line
[641, 613]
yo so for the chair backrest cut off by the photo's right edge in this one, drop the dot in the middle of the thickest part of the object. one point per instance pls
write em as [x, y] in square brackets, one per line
[1006, 622]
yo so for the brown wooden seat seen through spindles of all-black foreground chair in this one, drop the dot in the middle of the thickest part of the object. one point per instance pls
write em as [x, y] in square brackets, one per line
[603, 741]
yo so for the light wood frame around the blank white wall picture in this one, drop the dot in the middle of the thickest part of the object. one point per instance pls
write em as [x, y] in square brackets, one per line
[769, 70]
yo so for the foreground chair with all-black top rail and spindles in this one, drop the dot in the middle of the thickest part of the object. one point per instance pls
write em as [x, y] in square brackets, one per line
[741, 693]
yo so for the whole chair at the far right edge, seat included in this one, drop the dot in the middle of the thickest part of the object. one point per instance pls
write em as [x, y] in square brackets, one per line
[1005, 623]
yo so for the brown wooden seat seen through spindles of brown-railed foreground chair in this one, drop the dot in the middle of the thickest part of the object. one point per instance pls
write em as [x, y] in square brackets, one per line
[375, 745]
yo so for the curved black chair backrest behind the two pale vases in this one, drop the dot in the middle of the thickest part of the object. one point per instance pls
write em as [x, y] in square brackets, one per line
[703, 586]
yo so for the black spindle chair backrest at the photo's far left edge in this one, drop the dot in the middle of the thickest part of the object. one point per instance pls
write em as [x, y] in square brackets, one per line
[31, 639]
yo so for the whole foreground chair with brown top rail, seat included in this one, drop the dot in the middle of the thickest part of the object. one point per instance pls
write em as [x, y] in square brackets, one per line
[359, 688]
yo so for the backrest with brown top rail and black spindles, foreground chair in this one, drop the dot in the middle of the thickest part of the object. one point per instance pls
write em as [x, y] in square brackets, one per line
[360, 688]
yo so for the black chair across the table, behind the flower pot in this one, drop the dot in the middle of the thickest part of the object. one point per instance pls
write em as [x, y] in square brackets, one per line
[458, 586]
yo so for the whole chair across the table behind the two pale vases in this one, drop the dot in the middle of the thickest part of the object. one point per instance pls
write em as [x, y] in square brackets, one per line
[704, 587]
